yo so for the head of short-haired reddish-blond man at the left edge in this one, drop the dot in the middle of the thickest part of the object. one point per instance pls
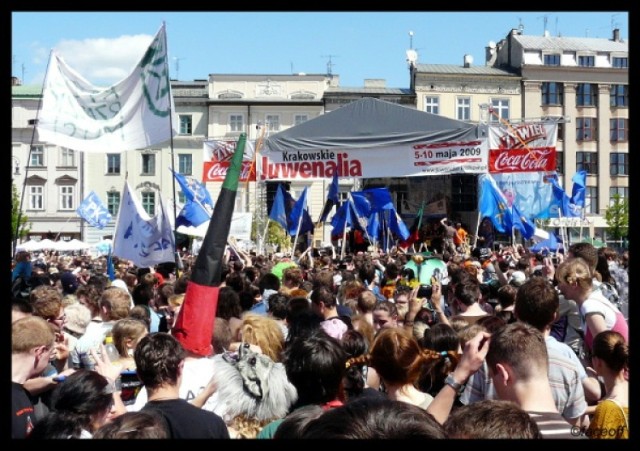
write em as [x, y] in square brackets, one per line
[32, 339]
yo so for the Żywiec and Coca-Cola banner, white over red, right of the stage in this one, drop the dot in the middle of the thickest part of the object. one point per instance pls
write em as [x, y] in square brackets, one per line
[527, 147]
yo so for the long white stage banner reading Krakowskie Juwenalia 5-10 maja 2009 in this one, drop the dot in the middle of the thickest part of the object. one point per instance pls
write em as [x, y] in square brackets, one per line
[397, 161]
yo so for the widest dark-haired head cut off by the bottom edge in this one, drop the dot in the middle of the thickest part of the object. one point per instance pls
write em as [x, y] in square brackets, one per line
[374, 418]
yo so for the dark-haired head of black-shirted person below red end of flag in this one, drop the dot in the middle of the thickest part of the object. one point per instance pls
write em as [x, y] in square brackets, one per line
[159, 360]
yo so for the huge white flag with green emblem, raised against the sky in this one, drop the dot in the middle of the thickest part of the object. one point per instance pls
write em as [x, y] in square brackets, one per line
[132, 114]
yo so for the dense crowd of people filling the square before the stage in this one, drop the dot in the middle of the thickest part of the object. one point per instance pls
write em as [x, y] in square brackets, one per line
[501, 343]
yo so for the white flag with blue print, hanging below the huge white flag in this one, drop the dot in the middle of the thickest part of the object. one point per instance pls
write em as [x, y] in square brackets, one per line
[144, 240]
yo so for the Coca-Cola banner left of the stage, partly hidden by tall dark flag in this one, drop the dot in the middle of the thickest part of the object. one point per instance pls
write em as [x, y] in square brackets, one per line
[217, 157]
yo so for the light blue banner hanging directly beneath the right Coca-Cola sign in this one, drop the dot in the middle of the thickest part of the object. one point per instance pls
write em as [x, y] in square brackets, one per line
[530, 191]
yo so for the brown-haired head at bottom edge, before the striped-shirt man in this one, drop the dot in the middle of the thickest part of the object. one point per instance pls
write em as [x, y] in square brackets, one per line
[491, 419]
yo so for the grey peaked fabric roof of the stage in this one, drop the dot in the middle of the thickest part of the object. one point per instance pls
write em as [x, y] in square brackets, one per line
[370, 122]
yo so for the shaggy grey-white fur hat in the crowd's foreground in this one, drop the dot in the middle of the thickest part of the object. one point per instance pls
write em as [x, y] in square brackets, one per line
[253, 385]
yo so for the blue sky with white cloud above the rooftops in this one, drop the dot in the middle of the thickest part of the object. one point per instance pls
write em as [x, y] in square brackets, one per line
[104, 47]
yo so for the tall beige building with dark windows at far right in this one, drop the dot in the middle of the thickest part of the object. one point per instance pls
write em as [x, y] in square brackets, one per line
[587, 81]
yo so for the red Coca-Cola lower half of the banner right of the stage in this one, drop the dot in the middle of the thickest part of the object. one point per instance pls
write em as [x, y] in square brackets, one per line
[523, 160]
